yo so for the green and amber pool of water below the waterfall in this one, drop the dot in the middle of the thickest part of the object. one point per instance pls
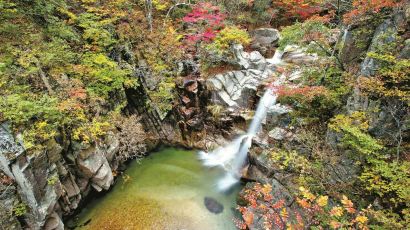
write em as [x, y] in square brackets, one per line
[165, 190]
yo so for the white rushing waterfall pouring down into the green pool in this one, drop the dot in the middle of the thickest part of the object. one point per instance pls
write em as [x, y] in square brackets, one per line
[232, 157]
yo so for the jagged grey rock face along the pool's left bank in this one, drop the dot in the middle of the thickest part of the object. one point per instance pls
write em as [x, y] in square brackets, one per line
[52, 183]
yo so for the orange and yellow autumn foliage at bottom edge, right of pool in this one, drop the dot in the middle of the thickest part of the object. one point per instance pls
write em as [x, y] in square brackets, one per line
[310, 210]
